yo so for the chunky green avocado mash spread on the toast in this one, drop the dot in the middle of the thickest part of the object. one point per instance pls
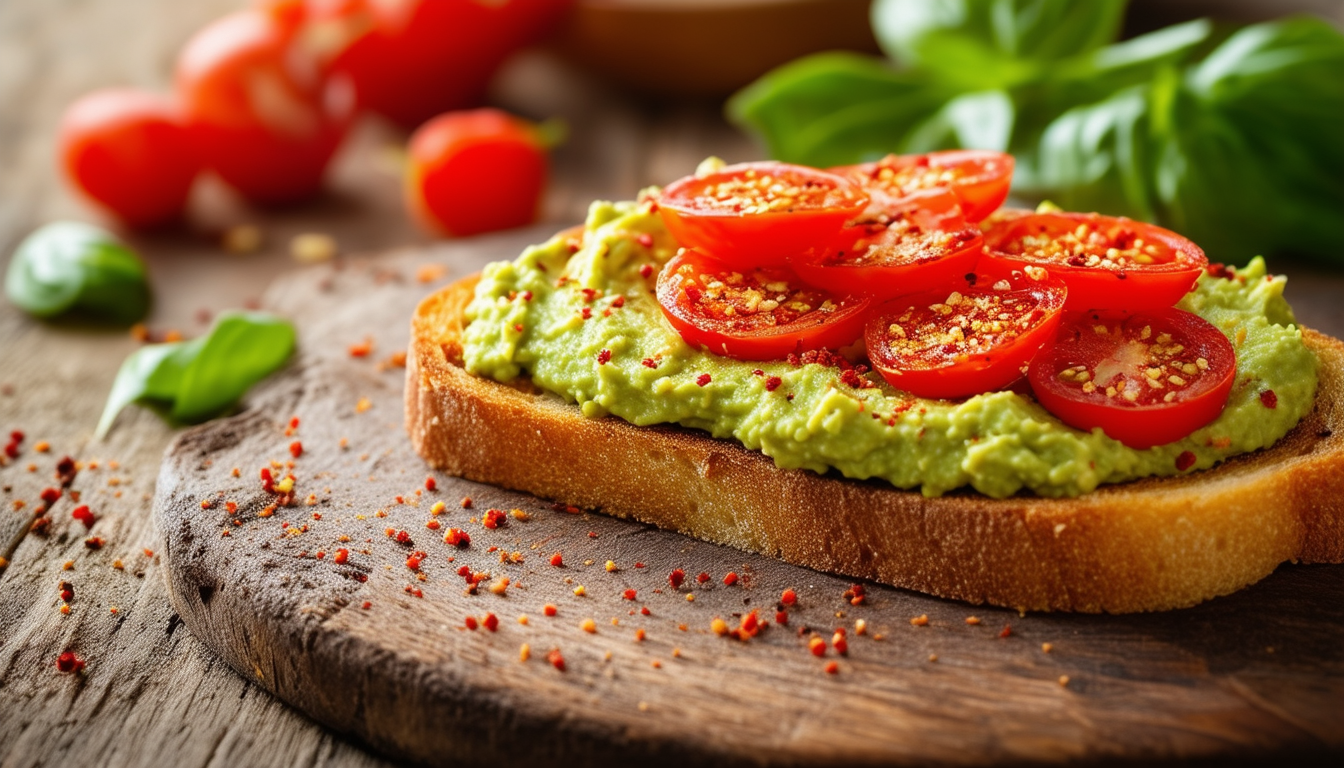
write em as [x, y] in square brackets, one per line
[585, 325]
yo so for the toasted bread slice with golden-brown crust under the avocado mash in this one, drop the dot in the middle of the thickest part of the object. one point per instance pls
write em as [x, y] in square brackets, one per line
[1150, 545]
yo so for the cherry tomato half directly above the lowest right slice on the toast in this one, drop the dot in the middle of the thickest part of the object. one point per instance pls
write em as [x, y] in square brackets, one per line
[1108, 263]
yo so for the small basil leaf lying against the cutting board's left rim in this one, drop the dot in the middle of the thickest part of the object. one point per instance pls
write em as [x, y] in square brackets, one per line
[193, 381]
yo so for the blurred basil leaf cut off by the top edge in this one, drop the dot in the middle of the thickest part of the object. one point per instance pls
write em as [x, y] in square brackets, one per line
[993, 44]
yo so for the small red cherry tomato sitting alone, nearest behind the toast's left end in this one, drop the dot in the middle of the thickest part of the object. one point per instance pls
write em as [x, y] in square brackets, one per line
[475, 171]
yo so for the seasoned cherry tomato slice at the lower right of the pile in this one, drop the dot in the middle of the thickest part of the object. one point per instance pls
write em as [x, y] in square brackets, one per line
[1144, 379]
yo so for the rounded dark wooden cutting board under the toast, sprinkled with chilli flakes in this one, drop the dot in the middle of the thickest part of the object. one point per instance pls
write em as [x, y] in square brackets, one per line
[381, 652]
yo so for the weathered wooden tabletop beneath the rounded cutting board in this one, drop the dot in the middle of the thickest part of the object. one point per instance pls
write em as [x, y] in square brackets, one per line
[153, 693]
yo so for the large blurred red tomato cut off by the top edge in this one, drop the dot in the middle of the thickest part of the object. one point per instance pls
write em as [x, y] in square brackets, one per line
[427, 57]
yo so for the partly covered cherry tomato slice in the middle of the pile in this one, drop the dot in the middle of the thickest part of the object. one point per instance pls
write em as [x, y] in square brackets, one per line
[920, 247]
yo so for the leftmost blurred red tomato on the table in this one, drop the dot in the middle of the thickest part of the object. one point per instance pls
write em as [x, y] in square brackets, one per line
[128, 151]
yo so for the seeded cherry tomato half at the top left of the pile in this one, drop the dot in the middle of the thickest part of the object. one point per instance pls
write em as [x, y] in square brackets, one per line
[760, 213]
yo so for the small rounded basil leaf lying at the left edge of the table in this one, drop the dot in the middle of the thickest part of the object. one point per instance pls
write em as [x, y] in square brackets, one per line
[72, 268]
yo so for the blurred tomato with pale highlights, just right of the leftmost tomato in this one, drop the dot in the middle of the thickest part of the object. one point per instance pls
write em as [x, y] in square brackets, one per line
[260, 107]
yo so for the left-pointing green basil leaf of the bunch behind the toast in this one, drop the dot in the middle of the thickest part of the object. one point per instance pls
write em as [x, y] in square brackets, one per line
[833, 110]
